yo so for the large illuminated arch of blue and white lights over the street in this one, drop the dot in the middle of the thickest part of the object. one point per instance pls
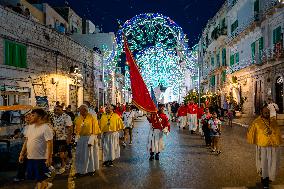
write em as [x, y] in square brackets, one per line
[160, 48]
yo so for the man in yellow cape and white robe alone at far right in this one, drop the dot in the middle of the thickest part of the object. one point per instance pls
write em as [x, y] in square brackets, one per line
[265, 134]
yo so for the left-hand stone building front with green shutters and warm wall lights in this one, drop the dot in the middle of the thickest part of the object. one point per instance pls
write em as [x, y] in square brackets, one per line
[39, 62]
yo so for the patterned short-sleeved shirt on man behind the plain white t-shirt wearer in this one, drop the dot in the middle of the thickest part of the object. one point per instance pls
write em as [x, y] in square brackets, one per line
[59, 125]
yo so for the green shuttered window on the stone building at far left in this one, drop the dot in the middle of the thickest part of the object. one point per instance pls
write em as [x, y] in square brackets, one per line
[15, 54]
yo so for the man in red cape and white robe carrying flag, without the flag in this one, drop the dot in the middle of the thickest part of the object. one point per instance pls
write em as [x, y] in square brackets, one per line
[159, 125]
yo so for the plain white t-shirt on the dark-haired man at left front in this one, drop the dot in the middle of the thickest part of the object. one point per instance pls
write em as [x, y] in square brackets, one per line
[37, 137]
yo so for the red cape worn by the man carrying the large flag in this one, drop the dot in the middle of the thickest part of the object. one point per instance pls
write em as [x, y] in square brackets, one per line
[159, 121]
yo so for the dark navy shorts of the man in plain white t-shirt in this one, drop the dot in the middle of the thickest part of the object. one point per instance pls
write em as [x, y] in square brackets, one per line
[37, 169]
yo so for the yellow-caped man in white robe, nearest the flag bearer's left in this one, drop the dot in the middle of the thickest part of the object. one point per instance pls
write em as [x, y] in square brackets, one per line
[110, 124]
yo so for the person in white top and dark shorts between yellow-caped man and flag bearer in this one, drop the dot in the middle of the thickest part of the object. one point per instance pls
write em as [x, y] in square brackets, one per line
[128, 121]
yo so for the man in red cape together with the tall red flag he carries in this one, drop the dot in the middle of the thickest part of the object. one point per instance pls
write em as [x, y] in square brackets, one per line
[142, 99]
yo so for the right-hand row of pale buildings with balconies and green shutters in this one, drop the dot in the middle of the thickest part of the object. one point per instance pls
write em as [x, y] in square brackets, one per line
[253, 66]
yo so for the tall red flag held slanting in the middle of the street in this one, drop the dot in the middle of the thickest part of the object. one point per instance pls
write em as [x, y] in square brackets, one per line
[140, 94]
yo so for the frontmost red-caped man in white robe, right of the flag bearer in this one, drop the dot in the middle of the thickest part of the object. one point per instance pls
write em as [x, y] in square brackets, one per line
[192, 116]
